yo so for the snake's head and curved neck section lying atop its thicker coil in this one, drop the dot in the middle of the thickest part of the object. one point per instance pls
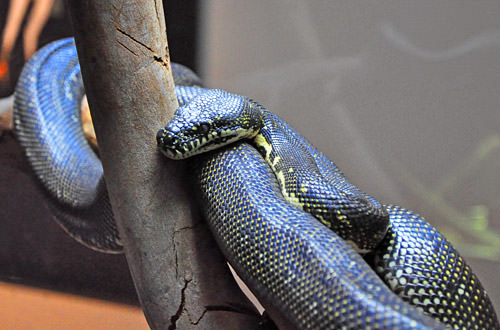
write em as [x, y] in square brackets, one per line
[215, 118]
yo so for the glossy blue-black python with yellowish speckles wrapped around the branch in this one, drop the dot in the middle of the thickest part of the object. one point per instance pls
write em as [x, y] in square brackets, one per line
[305, 274]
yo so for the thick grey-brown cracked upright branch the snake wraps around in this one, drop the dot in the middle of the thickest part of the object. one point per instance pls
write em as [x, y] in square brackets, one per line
[177, 269]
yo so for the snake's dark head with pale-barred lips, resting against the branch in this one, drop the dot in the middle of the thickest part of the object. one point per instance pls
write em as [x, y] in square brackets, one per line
[211, 120]
